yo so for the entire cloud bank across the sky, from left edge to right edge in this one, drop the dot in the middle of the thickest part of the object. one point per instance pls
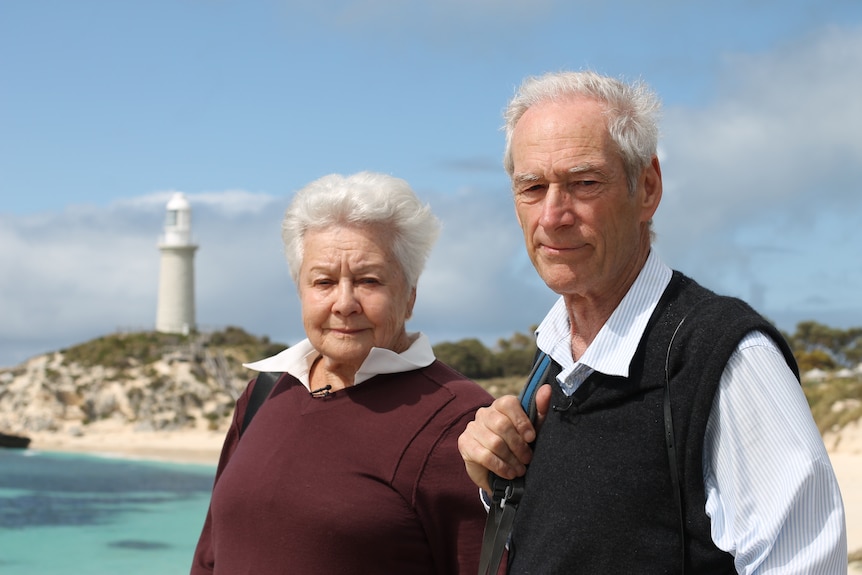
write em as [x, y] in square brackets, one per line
[761, 201]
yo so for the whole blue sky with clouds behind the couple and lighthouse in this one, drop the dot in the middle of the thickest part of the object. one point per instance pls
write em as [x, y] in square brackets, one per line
[107, 107]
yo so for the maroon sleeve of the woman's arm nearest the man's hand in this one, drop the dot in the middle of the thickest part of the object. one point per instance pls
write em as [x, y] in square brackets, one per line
[446, 503]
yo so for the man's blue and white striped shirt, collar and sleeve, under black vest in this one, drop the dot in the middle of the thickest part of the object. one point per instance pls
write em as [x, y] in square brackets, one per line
[771, 494]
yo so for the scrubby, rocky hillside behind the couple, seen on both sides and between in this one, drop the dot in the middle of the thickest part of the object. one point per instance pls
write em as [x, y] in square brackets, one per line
[155, 381]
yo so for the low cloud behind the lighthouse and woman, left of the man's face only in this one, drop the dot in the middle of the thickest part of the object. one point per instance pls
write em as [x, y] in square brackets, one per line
[88, 271]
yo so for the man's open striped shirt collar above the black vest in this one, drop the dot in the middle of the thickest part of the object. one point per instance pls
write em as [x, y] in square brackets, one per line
[613, 348]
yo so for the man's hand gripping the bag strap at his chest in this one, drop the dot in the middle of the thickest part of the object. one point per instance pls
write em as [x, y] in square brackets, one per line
[498, 439]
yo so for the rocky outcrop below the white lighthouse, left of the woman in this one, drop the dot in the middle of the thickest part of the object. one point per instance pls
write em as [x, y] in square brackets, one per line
[185, 385]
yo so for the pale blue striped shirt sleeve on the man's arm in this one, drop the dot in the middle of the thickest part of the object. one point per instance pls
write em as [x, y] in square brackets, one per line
[771, 493]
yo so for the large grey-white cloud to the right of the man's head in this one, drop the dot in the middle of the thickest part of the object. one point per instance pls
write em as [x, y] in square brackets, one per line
[774, 162]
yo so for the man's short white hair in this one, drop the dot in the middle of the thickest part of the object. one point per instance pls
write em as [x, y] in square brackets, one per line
[632, 112]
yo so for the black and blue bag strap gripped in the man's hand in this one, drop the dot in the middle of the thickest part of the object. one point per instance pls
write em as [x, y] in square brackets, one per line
[506, 493]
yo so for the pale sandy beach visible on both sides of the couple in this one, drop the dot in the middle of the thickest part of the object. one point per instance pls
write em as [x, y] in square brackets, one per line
[198, 446]
